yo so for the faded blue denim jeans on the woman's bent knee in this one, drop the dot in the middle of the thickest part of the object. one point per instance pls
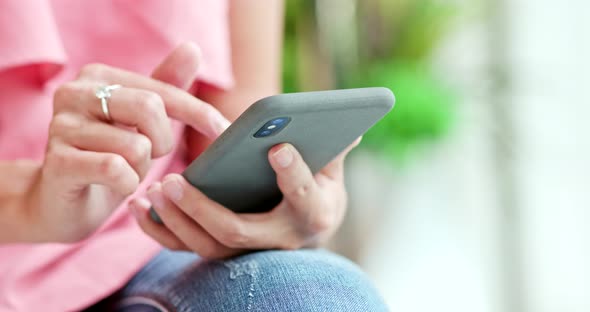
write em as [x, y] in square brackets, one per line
[302, 280]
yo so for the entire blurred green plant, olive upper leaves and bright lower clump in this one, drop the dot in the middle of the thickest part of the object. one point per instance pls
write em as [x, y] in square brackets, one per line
[394, 40]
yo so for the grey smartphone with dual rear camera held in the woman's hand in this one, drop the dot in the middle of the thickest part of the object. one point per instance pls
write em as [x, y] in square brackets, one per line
[234, 170]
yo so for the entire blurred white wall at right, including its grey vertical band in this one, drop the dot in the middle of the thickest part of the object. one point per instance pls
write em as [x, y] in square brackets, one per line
[440, 235]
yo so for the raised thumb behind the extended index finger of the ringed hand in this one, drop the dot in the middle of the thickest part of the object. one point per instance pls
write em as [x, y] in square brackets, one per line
[180, 67]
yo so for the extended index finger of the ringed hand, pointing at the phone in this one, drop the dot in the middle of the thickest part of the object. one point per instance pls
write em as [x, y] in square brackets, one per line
[179, 104]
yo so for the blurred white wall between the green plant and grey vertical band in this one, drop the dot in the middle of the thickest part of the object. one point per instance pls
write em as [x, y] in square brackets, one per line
[435, 243]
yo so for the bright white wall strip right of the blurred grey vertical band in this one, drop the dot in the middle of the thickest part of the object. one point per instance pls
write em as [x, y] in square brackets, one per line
[549, 48]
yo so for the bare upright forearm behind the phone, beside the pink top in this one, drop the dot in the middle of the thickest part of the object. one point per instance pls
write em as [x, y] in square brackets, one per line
[256, 39]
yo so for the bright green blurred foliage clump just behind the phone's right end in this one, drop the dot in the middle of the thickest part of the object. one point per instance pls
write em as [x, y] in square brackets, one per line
[423, 112]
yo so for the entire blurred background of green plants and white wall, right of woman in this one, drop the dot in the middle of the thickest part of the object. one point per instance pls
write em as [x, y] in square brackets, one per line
[474, 193]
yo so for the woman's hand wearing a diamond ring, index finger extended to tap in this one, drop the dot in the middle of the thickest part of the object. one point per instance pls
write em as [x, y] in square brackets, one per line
[92, 164]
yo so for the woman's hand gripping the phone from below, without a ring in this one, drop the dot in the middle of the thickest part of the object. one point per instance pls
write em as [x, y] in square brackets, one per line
[311, 210]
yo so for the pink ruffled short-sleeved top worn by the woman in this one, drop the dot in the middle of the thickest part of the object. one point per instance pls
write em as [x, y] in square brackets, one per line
[43, 43]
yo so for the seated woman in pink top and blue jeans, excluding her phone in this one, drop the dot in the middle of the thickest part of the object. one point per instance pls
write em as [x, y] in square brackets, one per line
[90, 125]
